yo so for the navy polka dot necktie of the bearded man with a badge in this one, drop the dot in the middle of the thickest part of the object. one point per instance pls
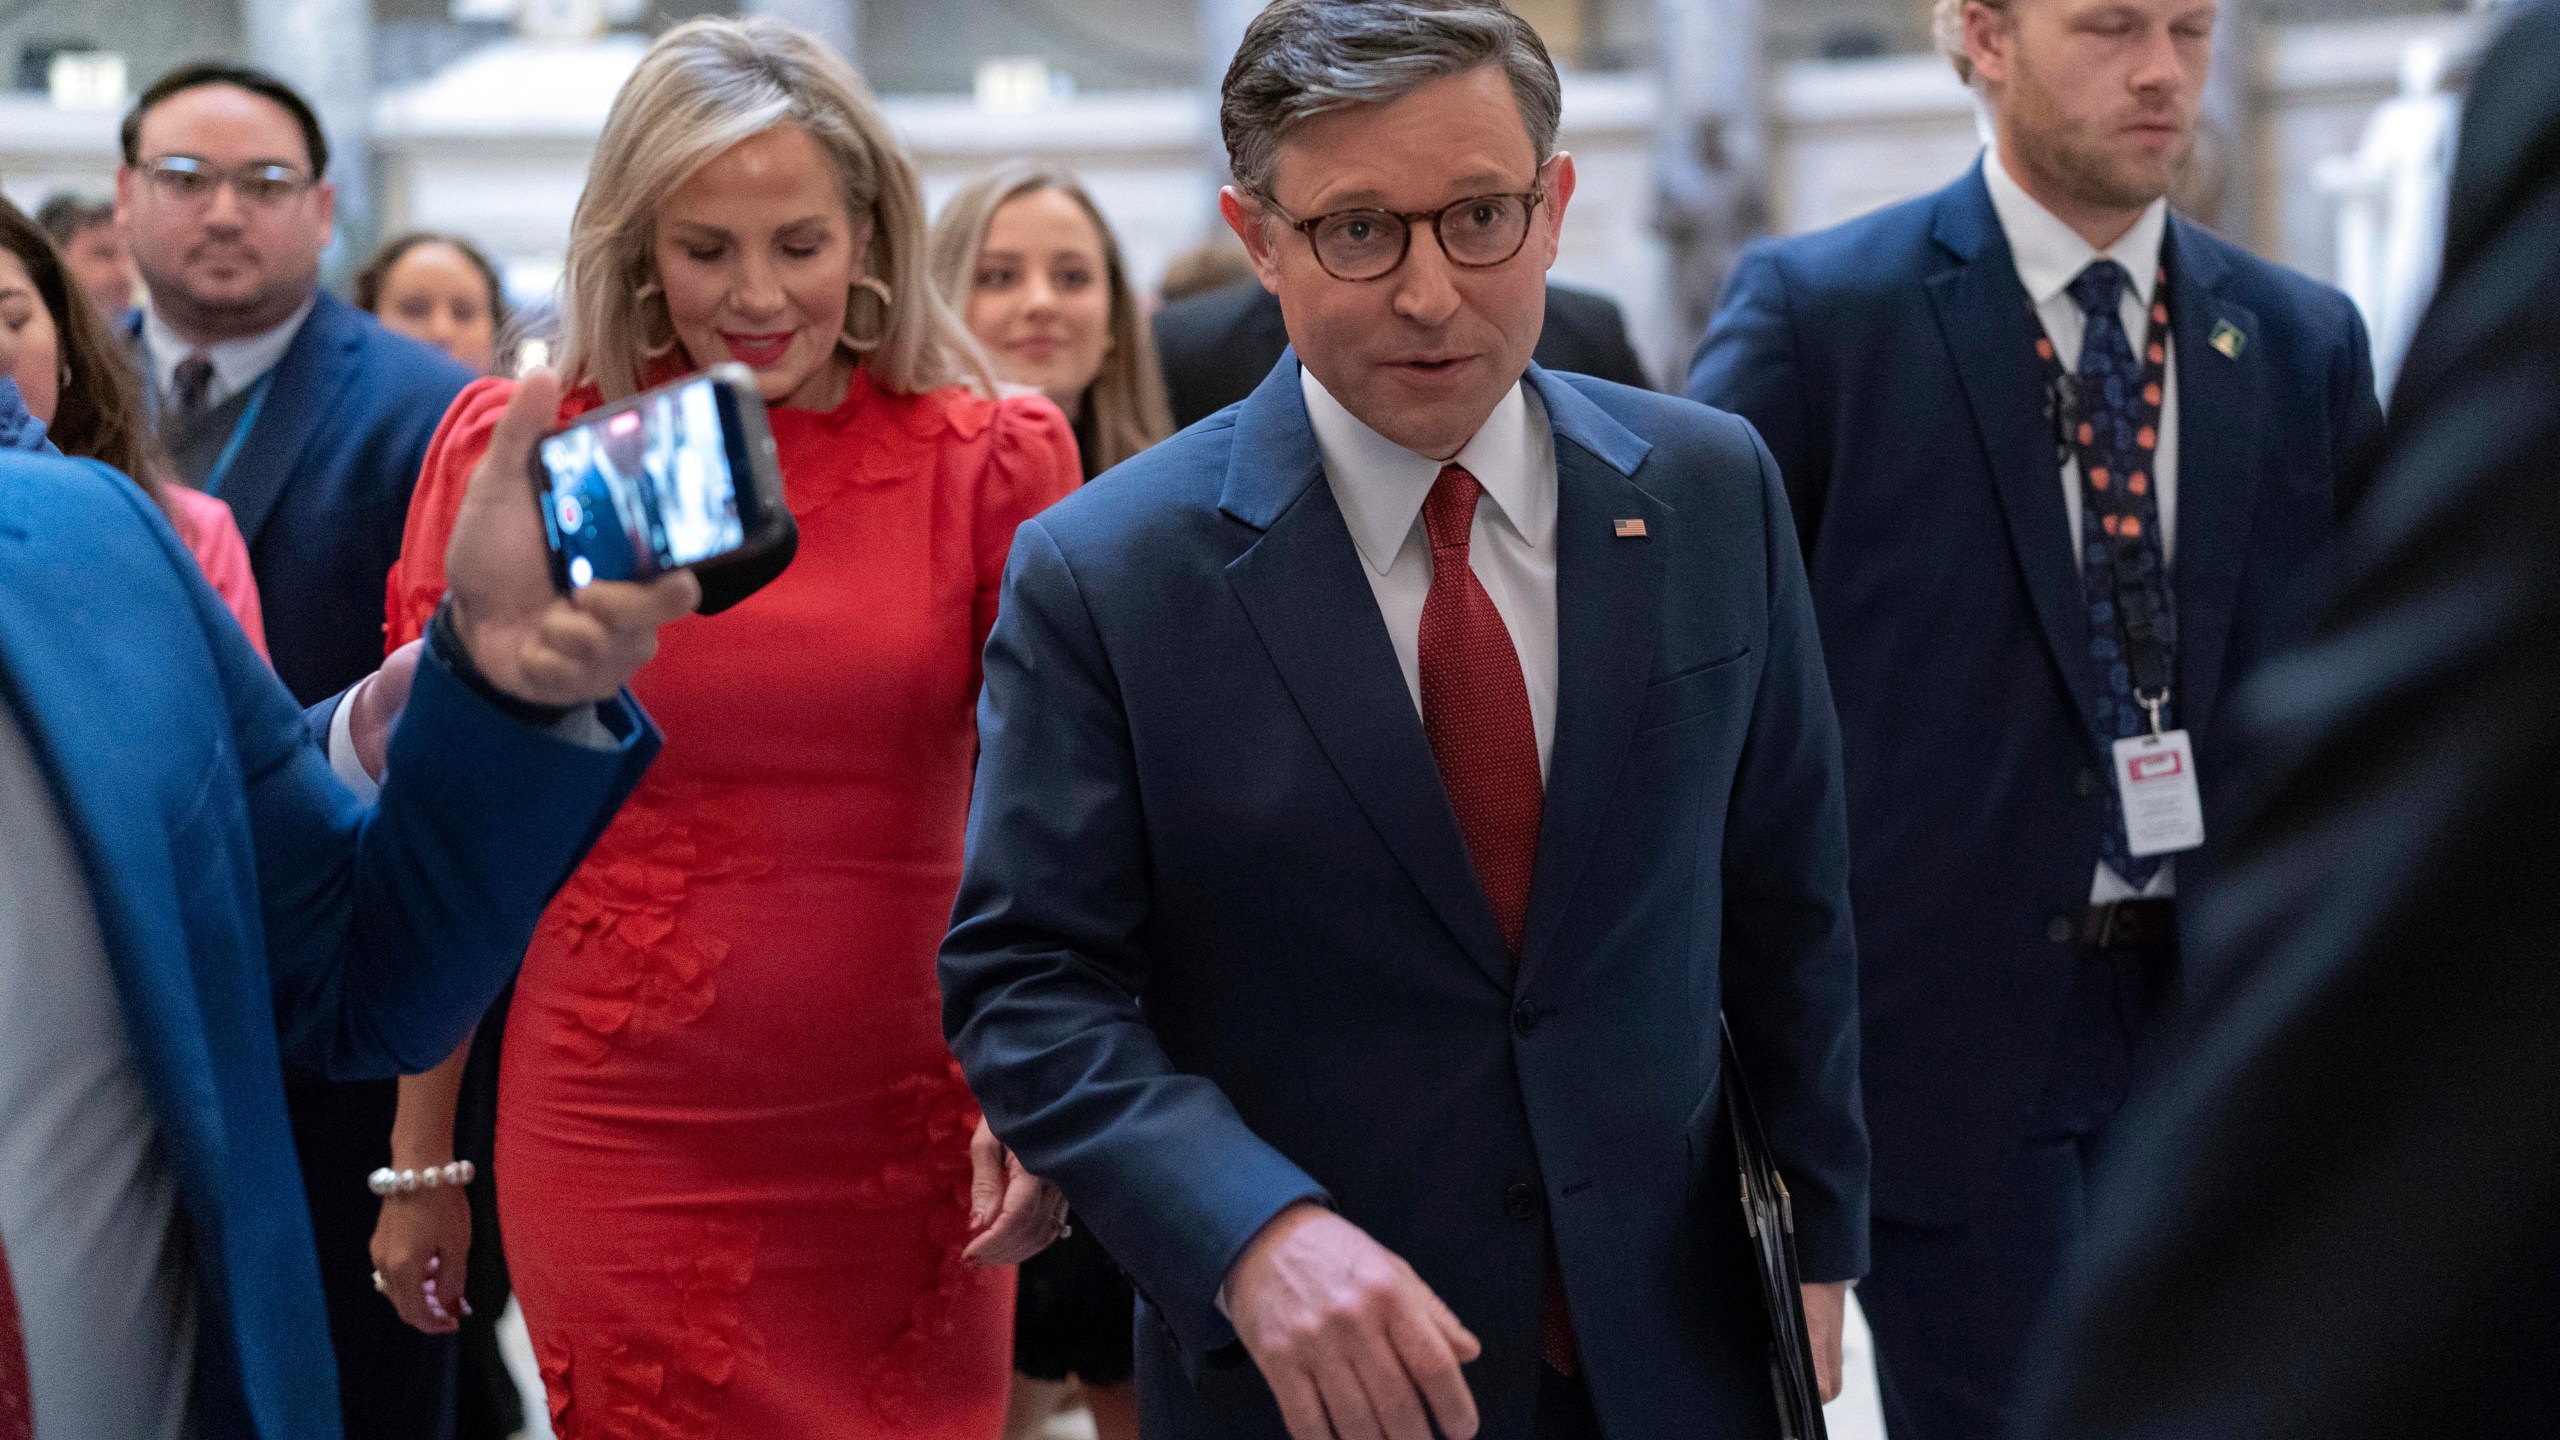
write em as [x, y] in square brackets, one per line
[2121, 521]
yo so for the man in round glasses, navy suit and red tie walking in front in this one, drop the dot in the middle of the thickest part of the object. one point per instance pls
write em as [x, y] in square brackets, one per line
[1386, 785]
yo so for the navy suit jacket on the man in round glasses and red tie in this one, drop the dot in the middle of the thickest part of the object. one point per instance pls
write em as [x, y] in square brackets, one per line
[1220, 944]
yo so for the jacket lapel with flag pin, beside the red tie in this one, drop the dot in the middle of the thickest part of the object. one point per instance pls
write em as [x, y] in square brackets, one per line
[1609, 603]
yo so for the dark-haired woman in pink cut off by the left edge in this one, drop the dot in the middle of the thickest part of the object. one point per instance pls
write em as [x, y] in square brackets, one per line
[86, 401]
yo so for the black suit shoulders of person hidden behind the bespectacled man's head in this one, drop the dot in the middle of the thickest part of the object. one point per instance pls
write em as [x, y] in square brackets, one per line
[1217, 347]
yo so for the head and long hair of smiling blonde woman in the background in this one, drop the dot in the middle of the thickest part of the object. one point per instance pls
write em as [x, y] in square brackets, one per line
[1028, 260]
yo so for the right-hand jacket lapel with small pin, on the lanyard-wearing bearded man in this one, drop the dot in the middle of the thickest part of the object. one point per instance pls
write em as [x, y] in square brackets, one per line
[2218, 486]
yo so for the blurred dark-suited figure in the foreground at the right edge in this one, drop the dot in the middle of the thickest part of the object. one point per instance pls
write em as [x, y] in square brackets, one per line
[2344, 1216]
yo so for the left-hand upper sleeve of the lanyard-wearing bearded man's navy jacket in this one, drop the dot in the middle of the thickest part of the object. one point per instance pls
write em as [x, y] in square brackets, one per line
[1752, 368]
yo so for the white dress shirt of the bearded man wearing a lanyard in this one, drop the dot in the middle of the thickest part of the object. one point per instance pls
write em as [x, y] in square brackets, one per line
[2049, 258]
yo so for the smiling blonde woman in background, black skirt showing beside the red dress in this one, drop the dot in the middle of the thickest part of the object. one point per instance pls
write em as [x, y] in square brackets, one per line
[1025, 255]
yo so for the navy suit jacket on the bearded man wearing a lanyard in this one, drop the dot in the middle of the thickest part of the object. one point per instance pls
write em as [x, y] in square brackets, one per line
[1891, 365]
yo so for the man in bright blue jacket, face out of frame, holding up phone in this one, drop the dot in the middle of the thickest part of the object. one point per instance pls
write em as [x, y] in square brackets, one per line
[196, 903]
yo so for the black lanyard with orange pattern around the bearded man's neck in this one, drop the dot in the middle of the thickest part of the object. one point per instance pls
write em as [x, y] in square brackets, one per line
[2141, 609]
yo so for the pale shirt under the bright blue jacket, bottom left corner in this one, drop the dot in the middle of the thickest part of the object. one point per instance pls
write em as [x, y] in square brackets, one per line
[88, 1206]
